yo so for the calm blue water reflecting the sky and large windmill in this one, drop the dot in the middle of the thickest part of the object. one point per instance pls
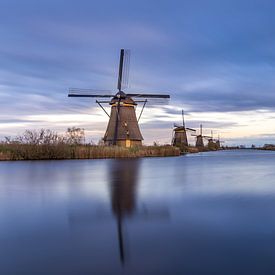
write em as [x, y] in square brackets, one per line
[210, 213]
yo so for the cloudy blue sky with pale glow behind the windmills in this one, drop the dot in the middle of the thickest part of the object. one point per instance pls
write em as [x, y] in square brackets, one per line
[216, 58]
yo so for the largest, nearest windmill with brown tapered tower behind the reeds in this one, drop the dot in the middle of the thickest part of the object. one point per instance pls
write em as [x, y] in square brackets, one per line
[123, 128]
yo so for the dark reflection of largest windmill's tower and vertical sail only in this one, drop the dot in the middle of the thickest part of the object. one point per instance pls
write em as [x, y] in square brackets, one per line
[123, 182]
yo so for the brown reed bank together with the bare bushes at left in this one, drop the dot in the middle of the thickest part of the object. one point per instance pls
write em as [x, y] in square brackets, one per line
[45, 144]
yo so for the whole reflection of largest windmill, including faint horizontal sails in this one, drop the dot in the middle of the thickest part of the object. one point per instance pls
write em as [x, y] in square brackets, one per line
[123, 184]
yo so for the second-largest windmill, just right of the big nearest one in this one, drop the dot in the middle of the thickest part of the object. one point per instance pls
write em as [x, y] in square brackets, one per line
[180, 134]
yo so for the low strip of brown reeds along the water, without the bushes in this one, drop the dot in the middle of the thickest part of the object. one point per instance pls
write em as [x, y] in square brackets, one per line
[65, 151]
